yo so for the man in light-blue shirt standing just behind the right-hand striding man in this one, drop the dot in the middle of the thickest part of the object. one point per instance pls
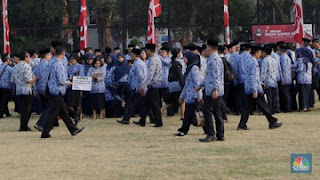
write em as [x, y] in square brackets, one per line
[269, 72]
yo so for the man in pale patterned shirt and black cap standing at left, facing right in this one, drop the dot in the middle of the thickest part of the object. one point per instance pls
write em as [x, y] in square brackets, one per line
[23, 78]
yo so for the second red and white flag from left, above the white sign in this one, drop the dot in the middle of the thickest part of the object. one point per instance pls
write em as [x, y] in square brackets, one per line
[83, 25]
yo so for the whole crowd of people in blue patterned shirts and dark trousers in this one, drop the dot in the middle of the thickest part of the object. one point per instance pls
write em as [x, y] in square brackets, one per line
[216, 80]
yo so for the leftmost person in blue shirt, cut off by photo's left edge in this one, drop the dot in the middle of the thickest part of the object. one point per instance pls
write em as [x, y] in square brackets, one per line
[5, 84]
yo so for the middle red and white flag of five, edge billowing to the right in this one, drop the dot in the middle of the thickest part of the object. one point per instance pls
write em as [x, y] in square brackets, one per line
[154, 11]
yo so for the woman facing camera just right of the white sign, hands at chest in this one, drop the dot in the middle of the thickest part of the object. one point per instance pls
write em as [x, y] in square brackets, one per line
[98, 74]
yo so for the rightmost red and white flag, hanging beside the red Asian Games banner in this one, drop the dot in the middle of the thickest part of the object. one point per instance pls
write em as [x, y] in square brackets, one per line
[298, 10]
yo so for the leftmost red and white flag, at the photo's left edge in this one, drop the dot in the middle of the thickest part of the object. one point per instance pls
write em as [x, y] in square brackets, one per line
[6, 29]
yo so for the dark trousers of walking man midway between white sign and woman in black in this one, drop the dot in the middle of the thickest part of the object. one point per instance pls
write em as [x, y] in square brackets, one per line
[132, 106]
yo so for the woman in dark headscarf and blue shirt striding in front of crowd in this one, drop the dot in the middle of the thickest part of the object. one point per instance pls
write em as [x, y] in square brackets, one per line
[192, 78]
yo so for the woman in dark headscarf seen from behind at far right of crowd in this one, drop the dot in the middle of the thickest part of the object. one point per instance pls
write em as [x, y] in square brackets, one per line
[304, 77]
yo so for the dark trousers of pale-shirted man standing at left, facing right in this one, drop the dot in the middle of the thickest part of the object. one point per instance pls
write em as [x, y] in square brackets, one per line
[26, 107]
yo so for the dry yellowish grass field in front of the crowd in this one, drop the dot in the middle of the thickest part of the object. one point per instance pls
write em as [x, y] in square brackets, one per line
[107, 150]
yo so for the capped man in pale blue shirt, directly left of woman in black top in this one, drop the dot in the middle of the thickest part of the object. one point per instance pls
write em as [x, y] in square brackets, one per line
[151, 87]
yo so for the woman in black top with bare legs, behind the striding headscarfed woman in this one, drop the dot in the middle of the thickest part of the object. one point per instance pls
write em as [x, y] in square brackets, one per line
[176, 83]
